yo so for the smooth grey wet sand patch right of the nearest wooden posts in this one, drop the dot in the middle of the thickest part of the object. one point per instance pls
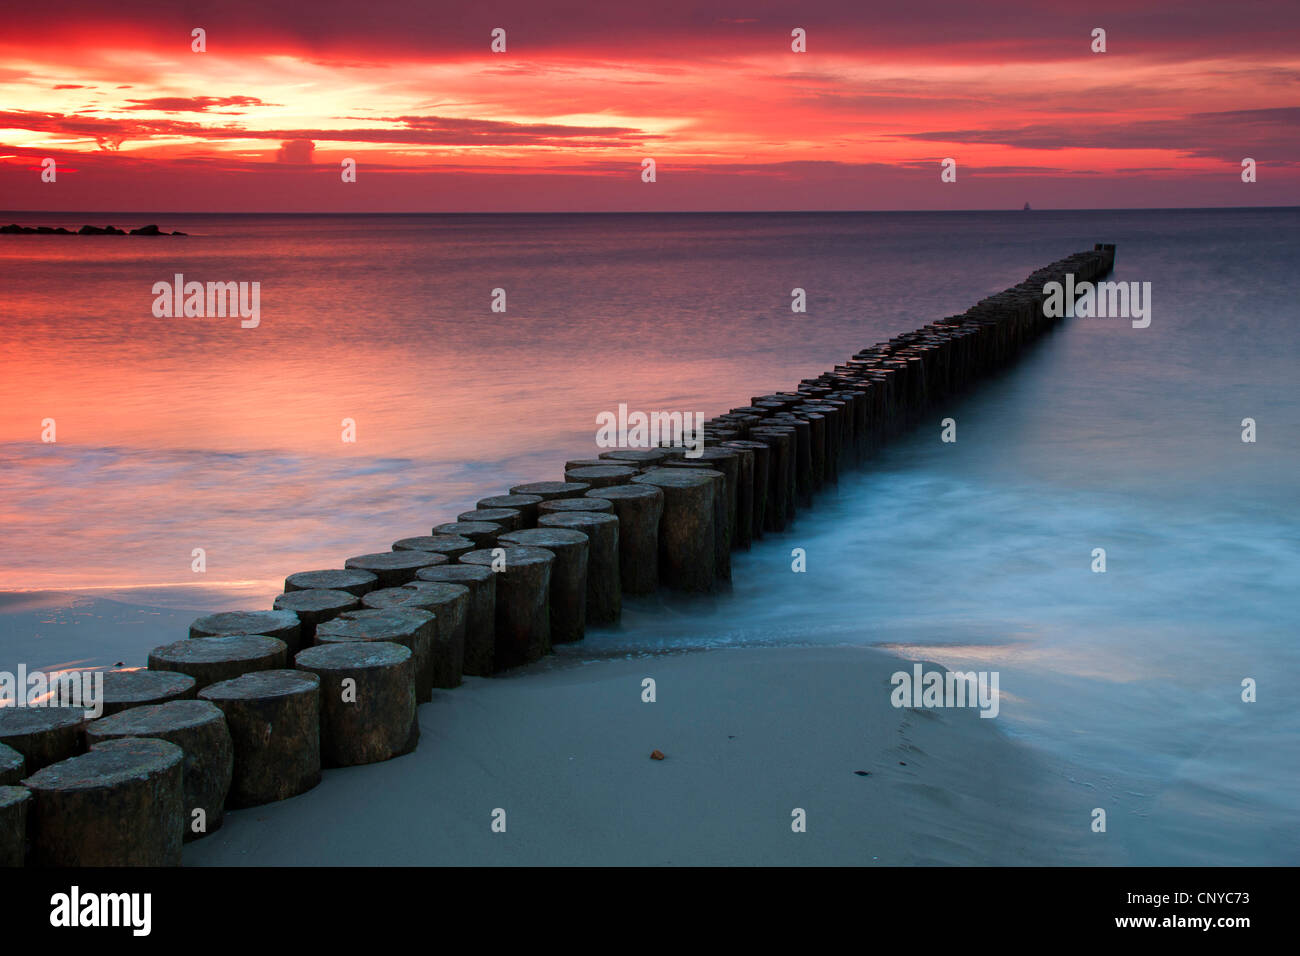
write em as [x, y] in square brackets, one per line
[748, 734]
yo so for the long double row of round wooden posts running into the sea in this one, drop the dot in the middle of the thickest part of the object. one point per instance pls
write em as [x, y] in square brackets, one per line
[253, 706]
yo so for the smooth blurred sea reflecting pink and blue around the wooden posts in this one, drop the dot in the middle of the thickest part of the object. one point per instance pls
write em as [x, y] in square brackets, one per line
[184, 434]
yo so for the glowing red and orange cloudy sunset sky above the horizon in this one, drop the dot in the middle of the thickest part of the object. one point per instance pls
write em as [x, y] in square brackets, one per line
[584, 93]
